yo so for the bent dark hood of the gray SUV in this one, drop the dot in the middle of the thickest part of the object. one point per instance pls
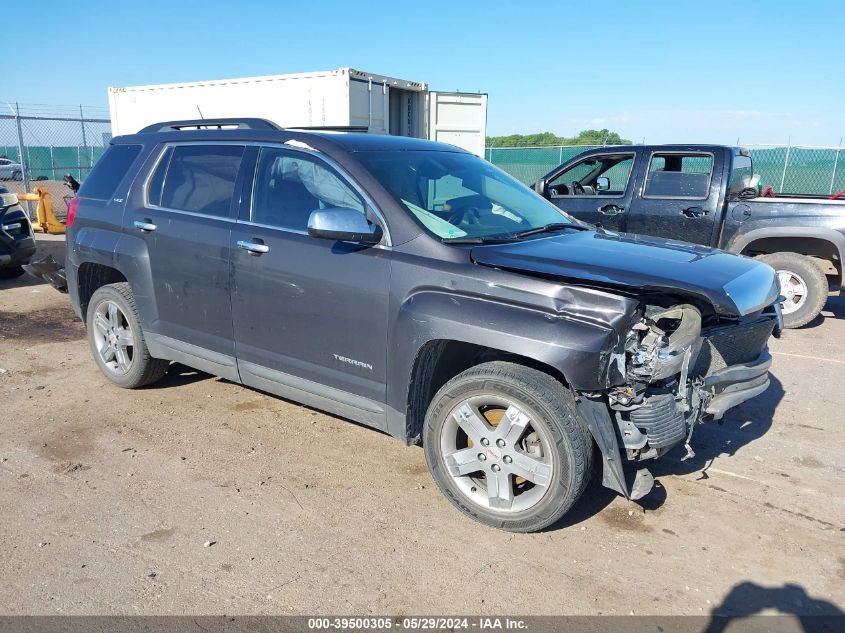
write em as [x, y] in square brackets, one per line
[733, 285]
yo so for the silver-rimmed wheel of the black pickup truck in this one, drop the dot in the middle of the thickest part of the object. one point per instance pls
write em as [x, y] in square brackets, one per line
[802, 283]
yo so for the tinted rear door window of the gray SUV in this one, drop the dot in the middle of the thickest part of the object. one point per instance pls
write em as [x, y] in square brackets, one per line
[198, 179]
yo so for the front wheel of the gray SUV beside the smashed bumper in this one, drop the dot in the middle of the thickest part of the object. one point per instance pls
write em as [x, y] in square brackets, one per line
[506, 445]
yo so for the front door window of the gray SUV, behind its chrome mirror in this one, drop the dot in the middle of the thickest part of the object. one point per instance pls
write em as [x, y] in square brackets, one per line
[289, 185]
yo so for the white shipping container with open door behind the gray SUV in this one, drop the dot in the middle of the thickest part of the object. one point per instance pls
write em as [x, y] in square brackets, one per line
[343, 99]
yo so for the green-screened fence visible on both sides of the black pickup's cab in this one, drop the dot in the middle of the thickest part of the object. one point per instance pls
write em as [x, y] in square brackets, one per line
[787, 169]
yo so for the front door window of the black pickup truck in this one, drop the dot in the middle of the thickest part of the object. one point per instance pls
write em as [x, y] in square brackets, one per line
[581, 179]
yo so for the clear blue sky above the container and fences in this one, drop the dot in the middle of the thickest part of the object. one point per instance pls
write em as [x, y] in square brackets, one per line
[659, 71]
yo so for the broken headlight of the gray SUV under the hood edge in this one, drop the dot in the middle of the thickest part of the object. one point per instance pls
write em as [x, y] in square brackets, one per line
[657, 346]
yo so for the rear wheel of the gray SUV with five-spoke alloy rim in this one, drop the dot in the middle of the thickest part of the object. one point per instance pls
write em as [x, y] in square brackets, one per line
[116, 340]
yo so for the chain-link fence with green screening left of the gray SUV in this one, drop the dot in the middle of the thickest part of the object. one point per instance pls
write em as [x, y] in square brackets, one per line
[40, 144]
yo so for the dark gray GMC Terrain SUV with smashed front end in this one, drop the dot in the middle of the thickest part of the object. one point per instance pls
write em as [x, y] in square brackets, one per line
[415, 288]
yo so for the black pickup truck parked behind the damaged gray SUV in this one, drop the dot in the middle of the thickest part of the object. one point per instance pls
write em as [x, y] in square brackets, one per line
[704, 194]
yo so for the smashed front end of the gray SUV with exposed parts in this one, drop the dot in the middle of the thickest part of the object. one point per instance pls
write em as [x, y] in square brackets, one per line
[678, 365]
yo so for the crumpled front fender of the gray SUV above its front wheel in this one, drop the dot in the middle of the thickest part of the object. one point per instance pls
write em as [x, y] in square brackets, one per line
[437, 335]
